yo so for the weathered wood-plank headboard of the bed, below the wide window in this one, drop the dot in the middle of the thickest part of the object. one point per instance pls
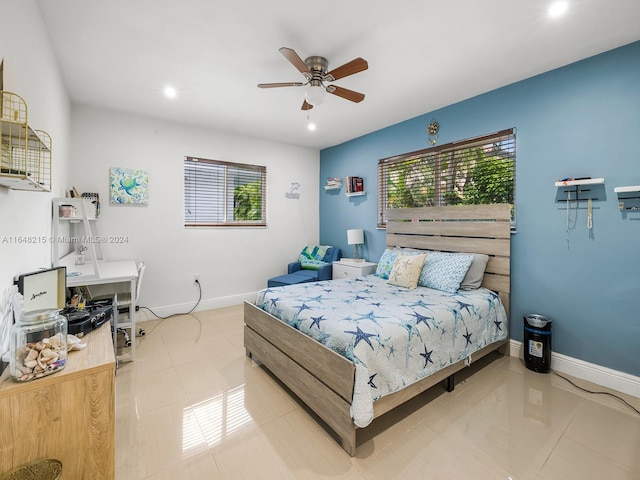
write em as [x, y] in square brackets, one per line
[471, 229]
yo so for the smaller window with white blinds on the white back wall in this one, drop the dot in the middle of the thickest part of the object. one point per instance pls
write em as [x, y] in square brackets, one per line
[224, 194]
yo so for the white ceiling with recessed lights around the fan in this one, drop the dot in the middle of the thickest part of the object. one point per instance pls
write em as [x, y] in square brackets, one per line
[422, 55]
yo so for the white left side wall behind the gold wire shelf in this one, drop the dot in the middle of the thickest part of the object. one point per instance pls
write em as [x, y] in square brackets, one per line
[30, 70]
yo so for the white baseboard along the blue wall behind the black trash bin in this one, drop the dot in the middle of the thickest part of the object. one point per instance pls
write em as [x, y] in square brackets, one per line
[619, 381]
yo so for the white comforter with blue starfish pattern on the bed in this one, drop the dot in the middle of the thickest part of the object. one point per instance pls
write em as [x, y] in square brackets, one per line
[393, 335]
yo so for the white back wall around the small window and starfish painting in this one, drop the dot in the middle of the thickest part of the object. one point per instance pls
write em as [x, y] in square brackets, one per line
[233, 263]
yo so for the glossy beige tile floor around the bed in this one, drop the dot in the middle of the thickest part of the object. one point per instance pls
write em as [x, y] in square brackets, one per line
[194, 406]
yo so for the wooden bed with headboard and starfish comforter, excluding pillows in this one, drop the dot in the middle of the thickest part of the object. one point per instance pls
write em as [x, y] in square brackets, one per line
[349, 389]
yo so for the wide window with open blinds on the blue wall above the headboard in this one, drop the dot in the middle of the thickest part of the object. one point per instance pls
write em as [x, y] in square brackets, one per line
[469, 172]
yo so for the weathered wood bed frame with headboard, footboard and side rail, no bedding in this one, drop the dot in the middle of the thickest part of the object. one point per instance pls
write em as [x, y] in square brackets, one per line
[323, 379]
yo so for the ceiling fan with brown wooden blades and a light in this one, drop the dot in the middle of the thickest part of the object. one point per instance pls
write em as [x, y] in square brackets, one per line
[315, 72]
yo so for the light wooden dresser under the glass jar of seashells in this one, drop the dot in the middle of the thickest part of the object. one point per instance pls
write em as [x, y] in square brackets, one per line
[69, 415]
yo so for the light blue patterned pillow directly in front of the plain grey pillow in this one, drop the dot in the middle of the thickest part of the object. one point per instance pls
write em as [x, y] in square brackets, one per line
[444, 271]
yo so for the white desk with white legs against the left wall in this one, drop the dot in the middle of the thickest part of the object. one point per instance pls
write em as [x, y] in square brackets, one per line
[110, 272]
